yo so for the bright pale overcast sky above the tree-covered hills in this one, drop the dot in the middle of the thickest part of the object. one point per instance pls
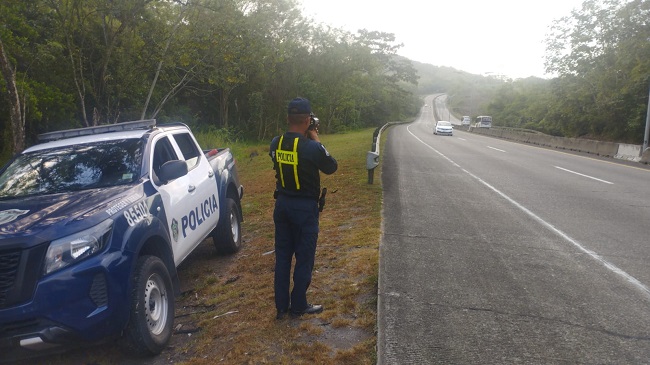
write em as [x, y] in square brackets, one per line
[497, 37]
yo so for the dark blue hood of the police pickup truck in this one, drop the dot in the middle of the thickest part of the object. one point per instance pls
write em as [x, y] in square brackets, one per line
[53, 216]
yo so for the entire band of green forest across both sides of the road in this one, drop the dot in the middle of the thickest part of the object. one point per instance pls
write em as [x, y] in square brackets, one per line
[232, 65]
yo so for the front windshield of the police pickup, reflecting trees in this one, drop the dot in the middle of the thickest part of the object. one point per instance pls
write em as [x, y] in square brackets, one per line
[71, 168]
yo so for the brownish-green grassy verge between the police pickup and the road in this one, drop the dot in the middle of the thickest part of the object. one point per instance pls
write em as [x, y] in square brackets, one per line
[344, 280]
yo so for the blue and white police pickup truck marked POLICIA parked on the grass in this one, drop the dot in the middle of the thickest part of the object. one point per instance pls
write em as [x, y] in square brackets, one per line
[94, 222]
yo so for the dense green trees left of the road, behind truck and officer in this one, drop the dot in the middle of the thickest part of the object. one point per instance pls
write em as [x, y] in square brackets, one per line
[226, 64]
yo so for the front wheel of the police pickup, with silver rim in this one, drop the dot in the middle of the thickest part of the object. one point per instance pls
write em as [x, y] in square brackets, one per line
[152, 308]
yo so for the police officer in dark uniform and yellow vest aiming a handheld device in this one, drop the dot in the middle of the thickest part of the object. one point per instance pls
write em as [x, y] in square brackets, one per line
[298, 157]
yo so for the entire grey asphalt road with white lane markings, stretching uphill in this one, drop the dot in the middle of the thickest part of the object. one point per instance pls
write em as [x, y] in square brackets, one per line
[495, 252]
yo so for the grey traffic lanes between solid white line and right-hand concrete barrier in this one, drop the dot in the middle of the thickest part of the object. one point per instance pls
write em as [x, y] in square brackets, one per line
[608, 217]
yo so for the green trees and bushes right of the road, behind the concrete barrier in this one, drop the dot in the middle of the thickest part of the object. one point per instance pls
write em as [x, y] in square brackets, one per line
[600, 55]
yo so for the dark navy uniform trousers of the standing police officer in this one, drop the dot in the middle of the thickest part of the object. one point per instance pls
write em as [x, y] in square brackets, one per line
[296, 234]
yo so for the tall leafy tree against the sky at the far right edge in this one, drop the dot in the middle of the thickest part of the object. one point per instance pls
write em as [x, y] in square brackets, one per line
[600, 54]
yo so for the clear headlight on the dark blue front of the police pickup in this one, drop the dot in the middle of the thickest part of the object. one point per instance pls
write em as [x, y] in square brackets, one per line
[76, 247]
